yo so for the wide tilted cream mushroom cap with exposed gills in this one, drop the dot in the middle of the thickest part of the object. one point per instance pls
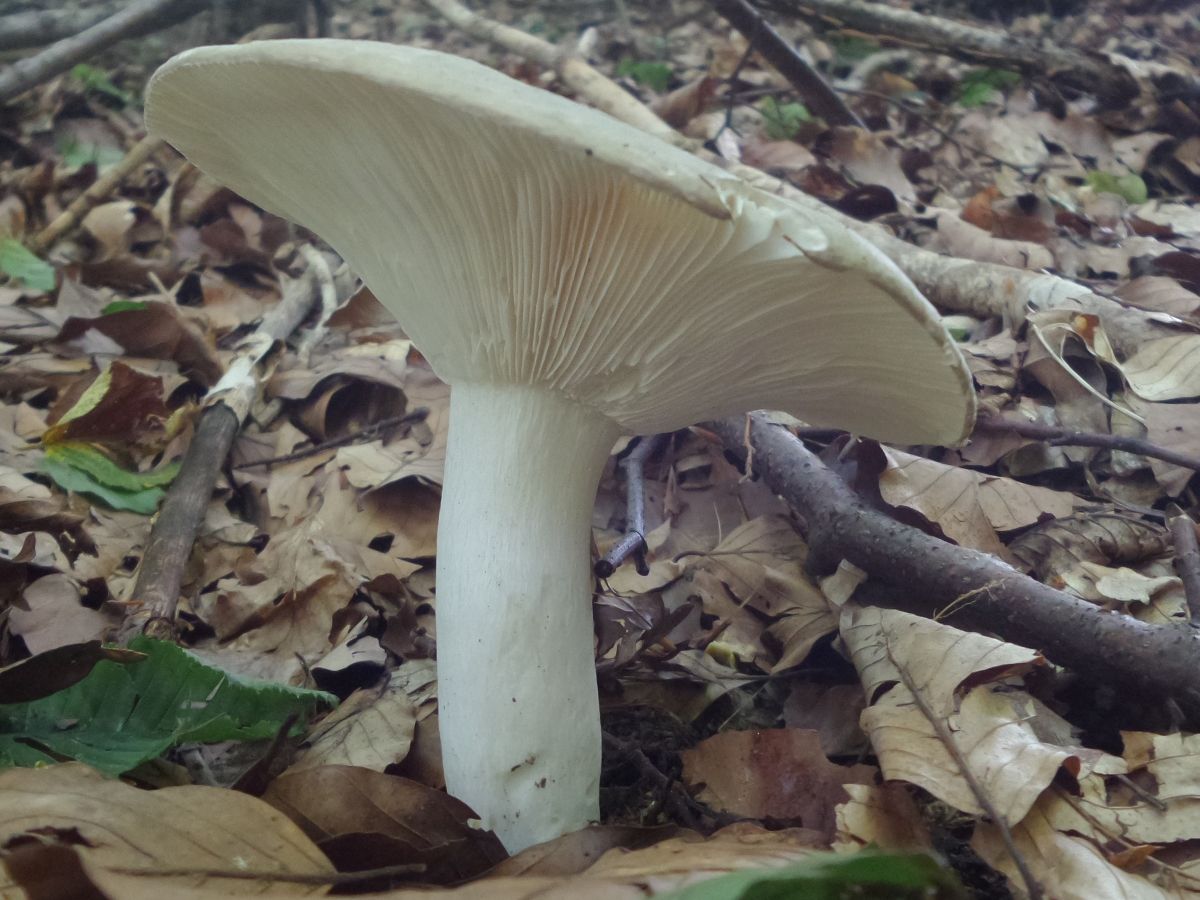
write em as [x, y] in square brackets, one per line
[523, 238]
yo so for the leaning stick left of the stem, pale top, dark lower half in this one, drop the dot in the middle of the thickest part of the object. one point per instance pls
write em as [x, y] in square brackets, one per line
[161, 574]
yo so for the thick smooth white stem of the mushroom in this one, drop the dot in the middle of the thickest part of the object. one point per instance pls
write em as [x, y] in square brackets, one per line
[519, 710]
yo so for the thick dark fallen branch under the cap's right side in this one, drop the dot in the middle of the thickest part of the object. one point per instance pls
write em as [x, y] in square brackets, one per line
[985, 592]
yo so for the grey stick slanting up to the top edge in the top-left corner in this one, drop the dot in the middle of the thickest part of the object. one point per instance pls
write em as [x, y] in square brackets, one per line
[58, 58]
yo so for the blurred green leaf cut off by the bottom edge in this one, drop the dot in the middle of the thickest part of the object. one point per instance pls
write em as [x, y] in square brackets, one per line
[835, 877]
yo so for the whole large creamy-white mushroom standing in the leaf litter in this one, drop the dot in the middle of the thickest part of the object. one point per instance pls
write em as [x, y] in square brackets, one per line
[572, 279]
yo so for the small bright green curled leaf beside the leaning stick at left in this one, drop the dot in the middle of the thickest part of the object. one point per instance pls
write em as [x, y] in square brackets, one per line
[80, 467]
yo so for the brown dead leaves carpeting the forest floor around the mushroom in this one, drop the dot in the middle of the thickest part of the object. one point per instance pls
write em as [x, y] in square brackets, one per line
[761, 715]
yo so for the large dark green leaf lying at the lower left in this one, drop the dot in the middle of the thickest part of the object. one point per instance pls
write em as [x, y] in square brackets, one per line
[123, 716]
